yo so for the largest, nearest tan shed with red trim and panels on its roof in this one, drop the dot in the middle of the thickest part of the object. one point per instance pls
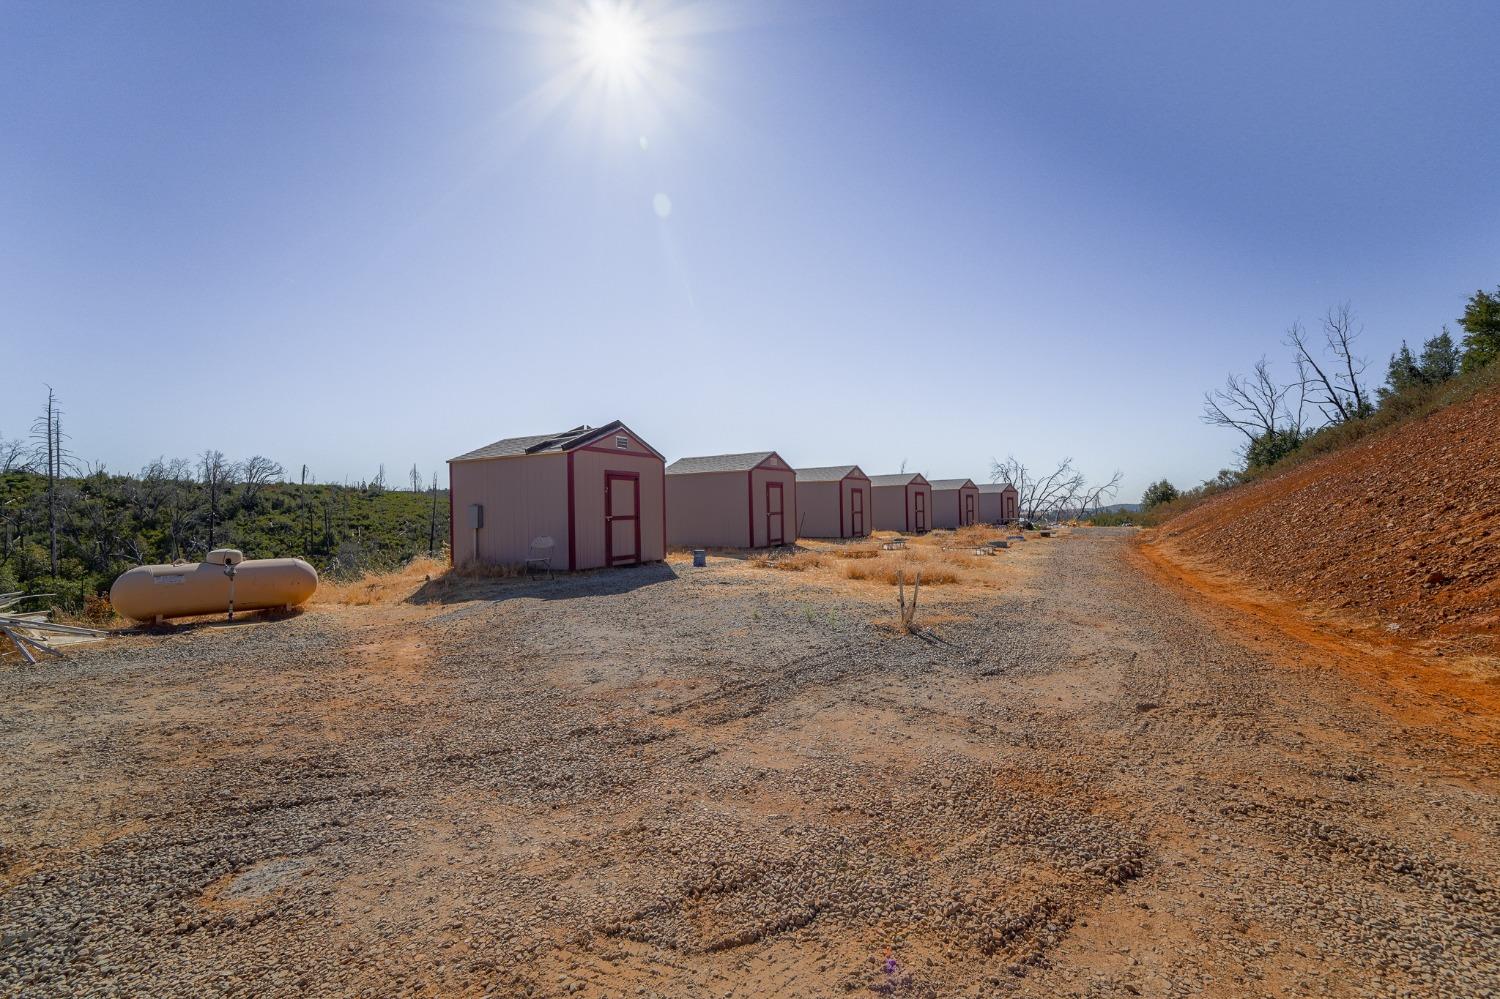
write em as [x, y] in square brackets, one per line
[598, 493]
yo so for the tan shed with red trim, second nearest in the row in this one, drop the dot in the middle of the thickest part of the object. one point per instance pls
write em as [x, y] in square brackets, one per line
[731, 502]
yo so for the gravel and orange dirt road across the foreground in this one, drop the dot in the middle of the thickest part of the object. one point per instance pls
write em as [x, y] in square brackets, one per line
[728, 782]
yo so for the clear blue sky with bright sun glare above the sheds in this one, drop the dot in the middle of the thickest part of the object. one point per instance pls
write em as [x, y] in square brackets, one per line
[350, 233]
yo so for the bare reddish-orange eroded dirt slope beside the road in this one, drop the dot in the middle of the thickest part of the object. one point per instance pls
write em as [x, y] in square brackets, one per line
[1400, 533]
